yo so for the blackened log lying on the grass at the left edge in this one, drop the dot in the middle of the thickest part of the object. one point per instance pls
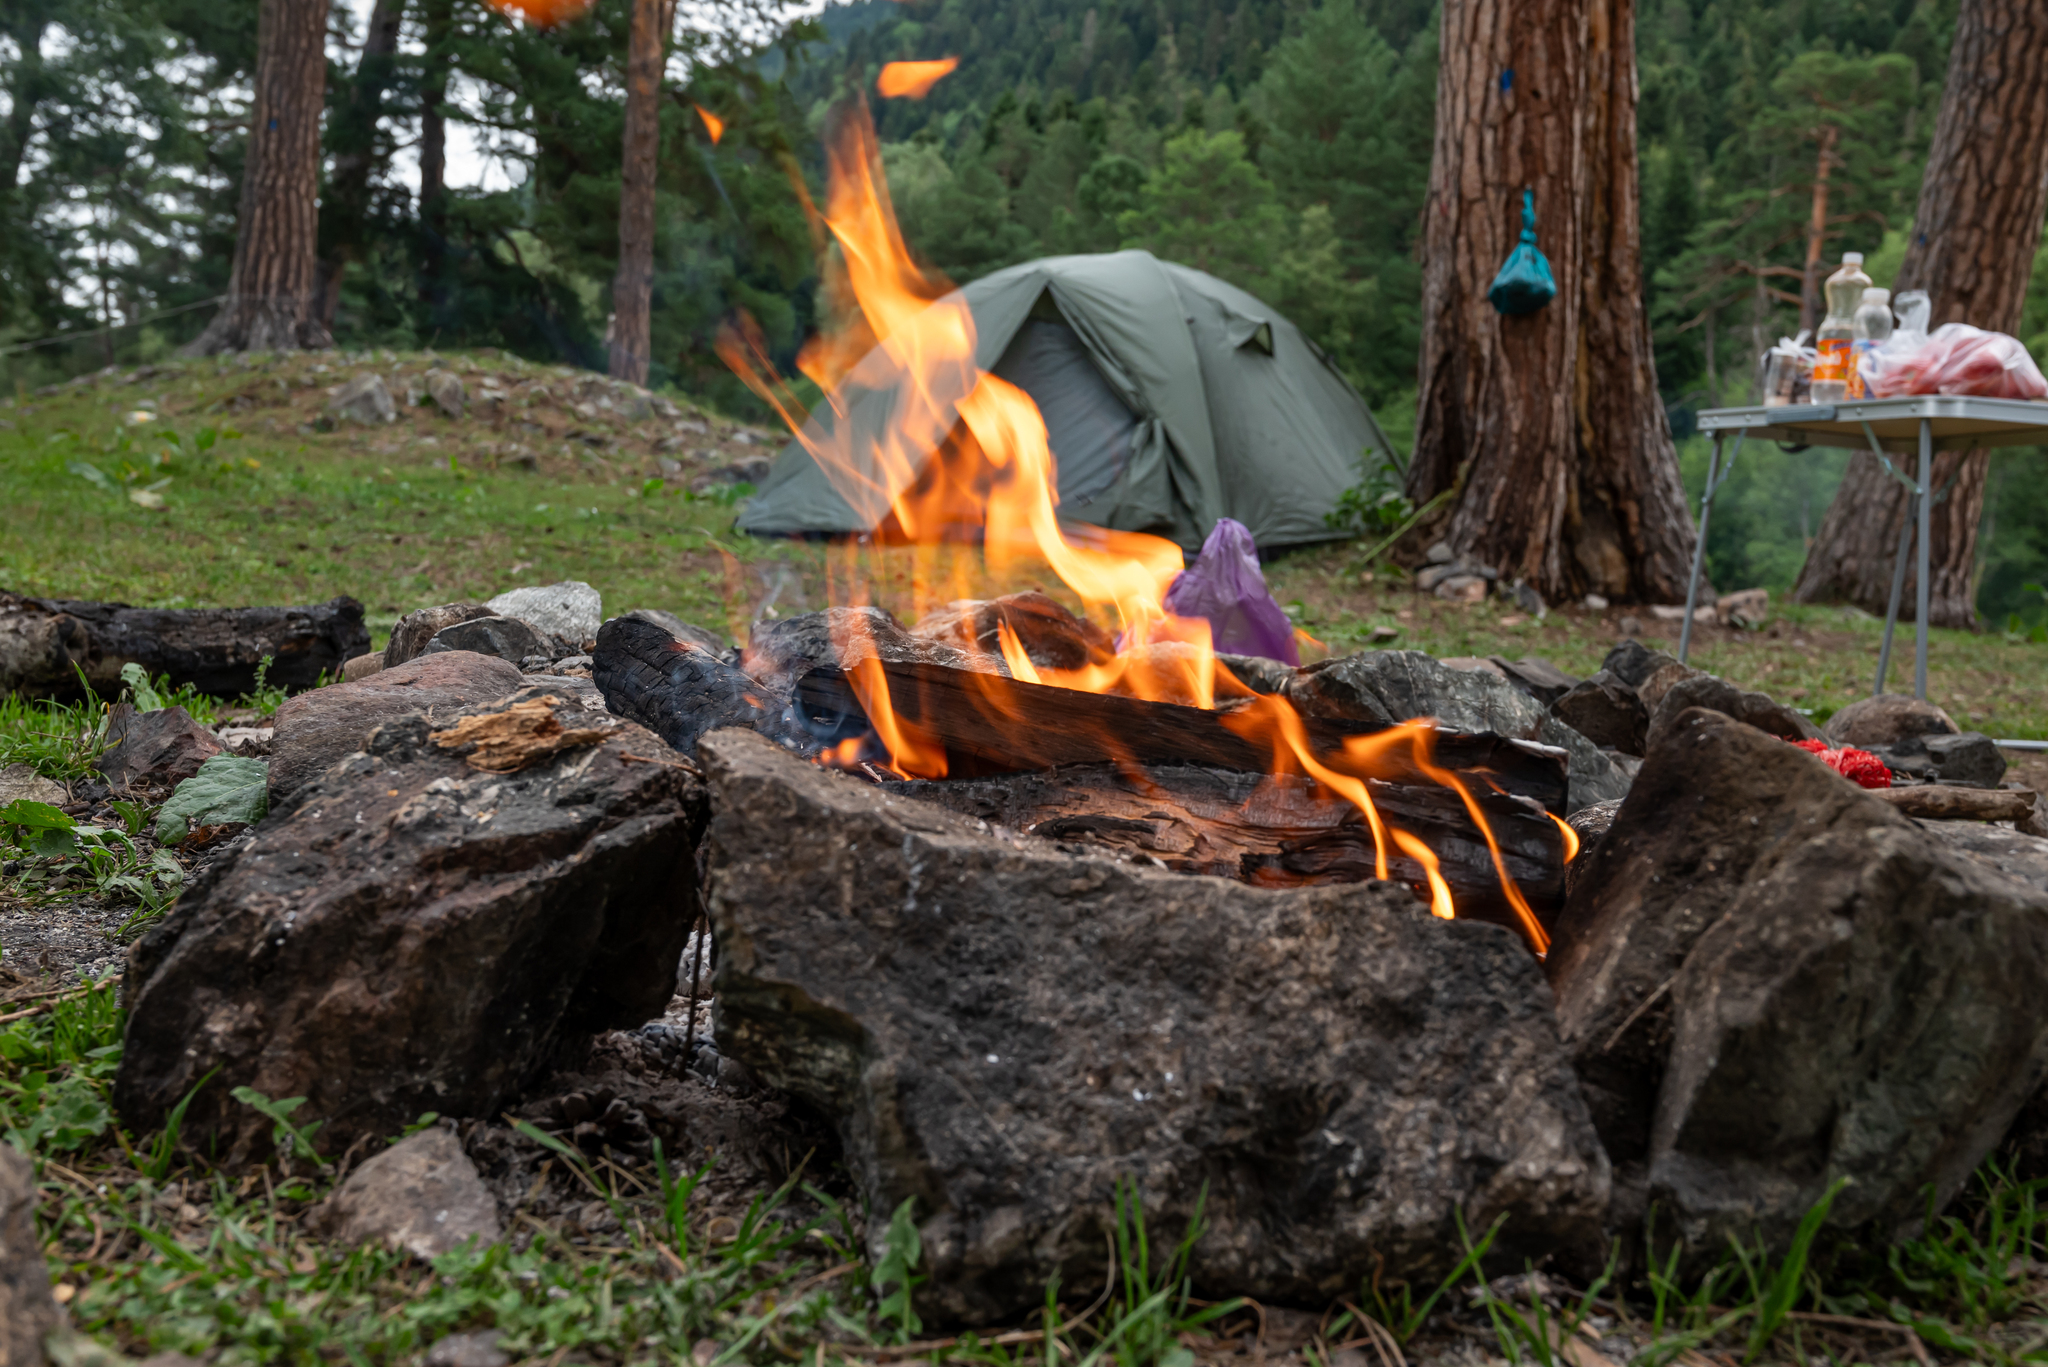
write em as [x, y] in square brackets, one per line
[46, 643]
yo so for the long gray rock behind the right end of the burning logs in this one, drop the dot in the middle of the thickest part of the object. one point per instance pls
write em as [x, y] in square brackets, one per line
[1402, 686]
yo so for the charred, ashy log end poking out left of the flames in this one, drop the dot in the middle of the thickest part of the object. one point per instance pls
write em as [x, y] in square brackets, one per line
[679, 690]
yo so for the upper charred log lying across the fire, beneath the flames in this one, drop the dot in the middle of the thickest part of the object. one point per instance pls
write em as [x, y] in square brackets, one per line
[994, 727]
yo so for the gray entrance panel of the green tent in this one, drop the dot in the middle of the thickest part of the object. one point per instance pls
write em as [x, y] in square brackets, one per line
[1086, 425]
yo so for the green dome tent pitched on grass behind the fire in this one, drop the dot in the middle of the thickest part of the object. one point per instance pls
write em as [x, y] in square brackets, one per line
[1170, 401]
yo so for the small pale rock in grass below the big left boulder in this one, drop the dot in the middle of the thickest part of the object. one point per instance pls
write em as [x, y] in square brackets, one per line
[421, 1196]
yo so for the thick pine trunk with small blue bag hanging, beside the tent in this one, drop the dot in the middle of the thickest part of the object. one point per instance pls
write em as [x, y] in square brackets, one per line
[1551, 421]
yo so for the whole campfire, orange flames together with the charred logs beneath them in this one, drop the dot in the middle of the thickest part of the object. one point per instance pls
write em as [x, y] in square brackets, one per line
[1129, 692]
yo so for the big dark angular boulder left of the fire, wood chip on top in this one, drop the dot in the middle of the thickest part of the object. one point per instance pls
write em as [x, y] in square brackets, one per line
[419, 934]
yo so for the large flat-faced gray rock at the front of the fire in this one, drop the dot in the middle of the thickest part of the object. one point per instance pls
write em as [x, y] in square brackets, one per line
[1002, 1032]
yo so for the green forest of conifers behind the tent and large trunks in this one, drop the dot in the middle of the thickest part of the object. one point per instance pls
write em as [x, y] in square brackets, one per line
[1279, 144]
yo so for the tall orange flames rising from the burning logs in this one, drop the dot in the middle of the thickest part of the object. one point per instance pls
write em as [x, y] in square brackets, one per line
[968, 456]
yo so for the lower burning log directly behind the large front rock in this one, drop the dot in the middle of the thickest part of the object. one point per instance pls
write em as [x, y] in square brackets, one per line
[1271, 831]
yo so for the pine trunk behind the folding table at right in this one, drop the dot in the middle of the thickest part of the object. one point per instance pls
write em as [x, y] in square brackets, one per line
[1975, 235]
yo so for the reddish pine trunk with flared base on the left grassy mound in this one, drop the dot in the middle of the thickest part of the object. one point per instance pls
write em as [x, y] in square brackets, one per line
[275, 280]
